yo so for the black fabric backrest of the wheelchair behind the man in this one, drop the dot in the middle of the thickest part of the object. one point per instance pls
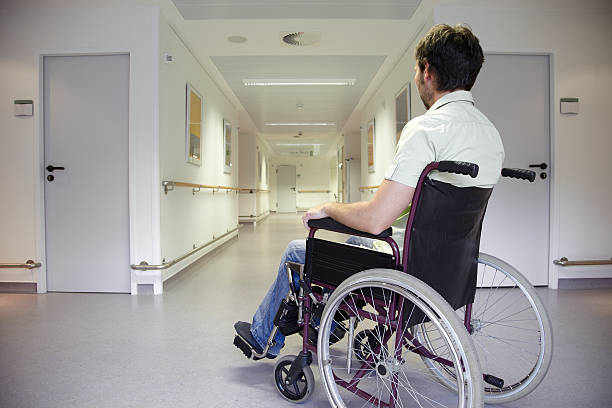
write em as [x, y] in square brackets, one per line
[444, 239]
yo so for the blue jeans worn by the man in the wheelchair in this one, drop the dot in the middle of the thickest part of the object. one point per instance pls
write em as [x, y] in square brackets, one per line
[263, 320]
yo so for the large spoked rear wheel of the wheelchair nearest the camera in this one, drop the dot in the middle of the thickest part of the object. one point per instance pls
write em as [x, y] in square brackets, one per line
[386, 370]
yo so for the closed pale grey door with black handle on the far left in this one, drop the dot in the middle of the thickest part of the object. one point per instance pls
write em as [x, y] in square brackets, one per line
[86, 202]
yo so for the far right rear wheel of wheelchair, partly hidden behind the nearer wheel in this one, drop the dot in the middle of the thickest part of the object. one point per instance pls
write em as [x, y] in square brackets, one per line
[511, 331]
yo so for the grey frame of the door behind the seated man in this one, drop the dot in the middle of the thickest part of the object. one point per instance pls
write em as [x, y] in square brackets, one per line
[553, 193]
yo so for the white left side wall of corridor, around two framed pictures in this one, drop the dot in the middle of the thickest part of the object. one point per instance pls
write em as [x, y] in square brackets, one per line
[190, 220]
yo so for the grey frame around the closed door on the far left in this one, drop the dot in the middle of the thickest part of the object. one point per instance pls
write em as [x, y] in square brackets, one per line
[39, 156]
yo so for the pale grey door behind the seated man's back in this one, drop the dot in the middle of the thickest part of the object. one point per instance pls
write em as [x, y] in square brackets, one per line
[513, 92]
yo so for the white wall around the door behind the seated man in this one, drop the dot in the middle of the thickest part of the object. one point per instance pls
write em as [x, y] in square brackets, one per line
[577, 36]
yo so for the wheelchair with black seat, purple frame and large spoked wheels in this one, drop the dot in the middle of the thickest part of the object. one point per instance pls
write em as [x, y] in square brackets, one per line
[438, 324]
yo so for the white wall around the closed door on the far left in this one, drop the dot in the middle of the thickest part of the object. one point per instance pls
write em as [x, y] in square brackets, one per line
[46, 29]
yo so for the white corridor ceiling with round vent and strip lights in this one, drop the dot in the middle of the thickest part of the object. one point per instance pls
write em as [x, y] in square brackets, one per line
[348, 47]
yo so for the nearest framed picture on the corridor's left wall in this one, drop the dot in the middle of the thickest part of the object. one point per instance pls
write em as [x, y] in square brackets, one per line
[193, 126]
